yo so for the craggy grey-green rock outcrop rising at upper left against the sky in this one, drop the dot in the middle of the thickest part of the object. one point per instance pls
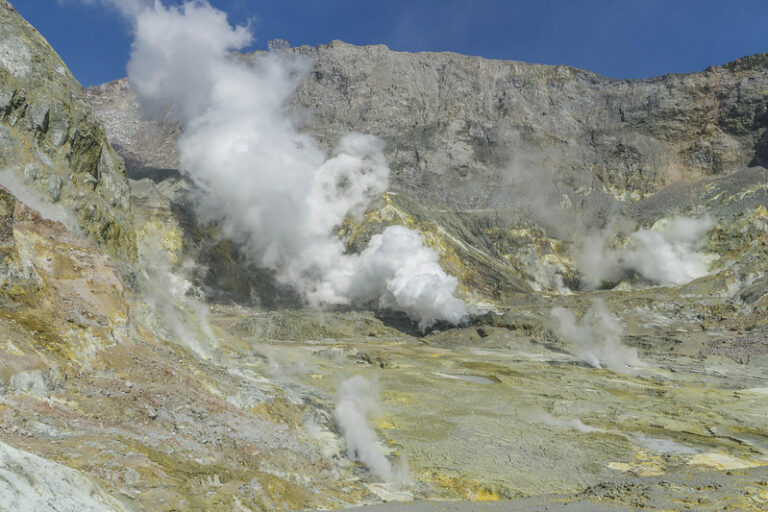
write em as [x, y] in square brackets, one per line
[51, 141]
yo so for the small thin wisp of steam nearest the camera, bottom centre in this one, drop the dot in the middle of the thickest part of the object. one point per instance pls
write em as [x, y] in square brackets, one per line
[357, 401]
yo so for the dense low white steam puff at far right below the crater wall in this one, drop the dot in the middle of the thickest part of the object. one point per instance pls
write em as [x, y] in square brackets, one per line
[665, 254]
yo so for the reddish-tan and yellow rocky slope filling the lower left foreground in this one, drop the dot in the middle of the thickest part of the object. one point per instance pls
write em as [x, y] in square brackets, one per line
[90, 379]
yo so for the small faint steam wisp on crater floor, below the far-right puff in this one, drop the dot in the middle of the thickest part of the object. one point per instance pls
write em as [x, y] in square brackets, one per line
[596, 337]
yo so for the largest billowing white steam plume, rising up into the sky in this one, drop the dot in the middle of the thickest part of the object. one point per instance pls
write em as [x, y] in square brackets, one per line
[272, 187]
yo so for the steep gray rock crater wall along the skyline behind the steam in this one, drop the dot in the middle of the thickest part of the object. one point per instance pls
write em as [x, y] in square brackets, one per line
[454, 125]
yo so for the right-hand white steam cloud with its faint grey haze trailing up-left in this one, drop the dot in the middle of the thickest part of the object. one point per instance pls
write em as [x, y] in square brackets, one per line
[665, 254]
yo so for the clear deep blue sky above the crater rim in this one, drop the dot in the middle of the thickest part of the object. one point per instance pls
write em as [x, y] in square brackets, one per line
[617, 38]
